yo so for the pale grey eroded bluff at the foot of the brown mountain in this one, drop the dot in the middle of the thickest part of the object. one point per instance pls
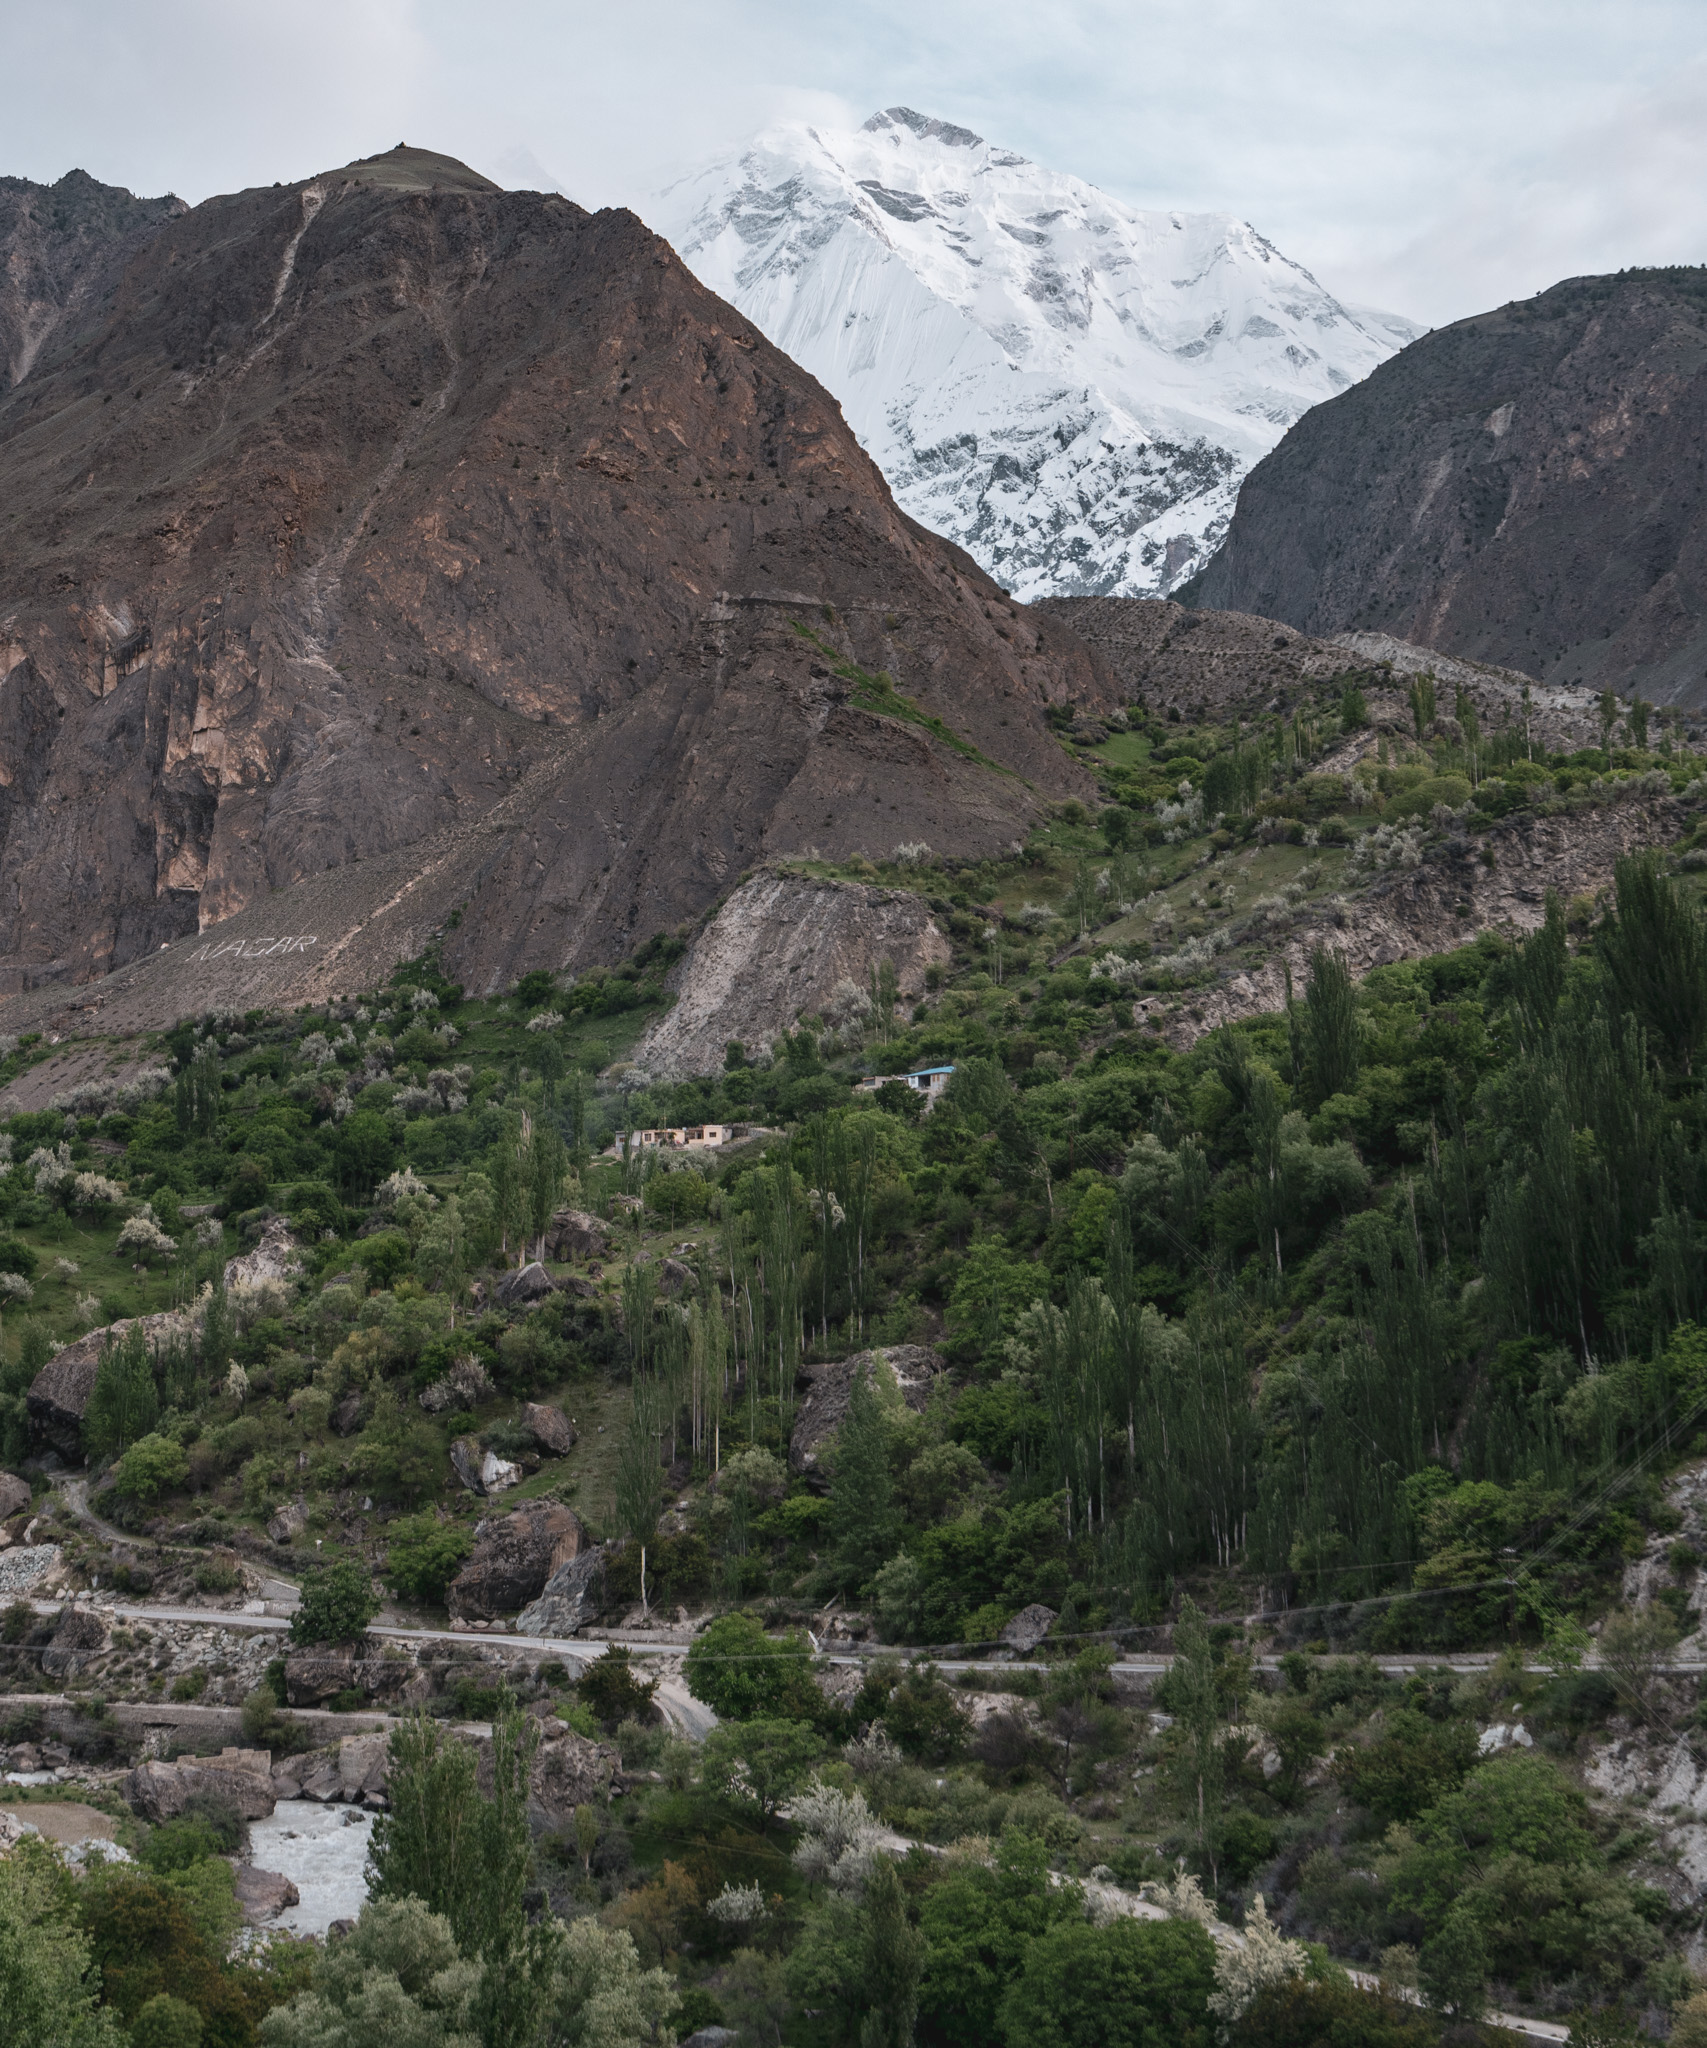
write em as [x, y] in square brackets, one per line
[786, 945]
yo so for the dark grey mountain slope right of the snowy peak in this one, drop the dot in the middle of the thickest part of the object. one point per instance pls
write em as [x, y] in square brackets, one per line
[1522, 488]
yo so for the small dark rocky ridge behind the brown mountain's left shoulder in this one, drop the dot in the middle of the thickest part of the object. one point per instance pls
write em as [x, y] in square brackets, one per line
[63, 249]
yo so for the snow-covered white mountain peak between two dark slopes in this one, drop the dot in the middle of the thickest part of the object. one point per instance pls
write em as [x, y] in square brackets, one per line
[1065, 386]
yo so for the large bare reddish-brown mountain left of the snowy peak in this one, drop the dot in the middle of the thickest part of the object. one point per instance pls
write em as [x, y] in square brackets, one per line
[458, 544]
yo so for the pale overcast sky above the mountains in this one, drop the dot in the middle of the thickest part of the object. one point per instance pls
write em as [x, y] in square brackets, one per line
[1431, 157]
